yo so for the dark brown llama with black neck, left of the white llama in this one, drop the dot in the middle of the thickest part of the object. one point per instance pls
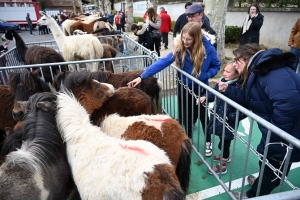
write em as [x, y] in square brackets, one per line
[36, 54]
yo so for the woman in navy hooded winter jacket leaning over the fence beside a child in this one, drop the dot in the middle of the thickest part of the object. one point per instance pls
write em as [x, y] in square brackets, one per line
[272, 91]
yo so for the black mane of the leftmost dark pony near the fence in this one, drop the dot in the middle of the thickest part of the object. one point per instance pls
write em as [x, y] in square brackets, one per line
[28, 80]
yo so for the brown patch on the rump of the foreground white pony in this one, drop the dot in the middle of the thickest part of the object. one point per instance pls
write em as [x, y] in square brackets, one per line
[165, 179]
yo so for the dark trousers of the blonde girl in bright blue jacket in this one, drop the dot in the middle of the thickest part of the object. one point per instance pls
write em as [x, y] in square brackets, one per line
[188, 111]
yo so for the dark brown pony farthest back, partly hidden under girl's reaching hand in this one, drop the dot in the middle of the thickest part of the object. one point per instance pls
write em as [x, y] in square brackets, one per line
[151, 86]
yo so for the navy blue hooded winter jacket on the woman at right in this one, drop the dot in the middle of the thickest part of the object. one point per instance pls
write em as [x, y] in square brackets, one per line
[272, 92]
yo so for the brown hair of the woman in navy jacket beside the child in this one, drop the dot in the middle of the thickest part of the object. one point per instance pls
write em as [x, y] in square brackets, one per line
[246, 52]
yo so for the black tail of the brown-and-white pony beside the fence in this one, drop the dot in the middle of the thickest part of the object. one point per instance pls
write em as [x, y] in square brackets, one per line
[184, 163]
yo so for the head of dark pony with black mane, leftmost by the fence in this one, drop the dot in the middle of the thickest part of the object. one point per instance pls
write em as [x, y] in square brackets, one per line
[23, 85]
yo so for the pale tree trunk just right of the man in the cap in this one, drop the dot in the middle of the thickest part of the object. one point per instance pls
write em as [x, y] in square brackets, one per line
[216, 11]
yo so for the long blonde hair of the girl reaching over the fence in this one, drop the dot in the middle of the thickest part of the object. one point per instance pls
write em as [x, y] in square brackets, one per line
[198, 51]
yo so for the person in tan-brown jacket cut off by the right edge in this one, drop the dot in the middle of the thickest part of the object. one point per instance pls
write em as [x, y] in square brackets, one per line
[294, 43]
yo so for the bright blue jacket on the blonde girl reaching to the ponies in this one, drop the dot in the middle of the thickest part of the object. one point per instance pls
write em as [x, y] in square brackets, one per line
[209, 69]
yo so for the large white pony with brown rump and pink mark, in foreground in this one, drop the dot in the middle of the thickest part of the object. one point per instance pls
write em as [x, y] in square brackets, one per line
[117, 169]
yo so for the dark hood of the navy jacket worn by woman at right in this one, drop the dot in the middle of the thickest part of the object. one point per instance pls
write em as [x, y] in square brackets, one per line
[265, 61]
